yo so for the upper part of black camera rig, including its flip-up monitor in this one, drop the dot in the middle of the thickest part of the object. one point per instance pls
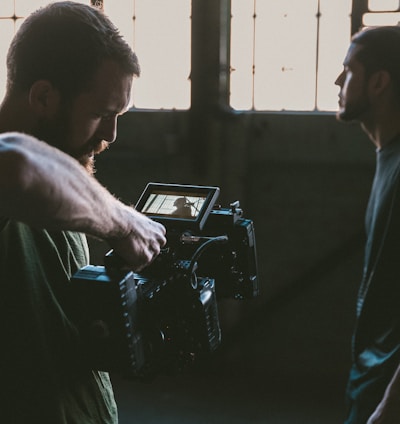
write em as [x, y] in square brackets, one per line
[230, 255]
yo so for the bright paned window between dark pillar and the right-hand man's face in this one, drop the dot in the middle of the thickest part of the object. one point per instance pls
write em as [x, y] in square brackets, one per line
[286, 54]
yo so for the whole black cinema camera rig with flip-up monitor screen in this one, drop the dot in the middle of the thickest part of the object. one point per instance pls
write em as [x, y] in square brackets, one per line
[162, 319]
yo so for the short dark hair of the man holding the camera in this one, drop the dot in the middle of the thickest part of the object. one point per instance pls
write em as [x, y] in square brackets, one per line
[65, 43]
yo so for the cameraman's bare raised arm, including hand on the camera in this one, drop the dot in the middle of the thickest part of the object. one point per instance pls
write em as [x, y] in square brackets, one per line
[44, 187]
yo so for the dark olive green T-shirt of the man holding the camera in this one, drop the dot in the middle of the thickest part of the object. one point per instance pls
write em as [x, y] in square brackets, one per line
[44, 378]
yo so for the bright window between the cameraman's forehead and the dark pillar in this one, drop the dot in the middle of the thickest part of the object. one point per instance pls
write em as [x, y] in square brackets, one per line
[159, 31]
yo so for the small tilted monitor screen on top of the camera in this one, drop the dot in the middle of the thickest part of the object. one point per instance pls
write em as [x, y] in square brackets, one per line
[180, 205]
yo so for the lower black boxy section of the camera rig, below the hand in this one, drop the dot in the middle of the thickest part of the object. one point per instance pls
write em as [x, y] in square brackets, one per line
[141, 327]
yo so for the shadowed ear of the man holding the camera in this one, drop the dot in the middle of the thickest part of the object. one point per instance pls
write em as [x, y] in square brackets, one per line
[44, 98]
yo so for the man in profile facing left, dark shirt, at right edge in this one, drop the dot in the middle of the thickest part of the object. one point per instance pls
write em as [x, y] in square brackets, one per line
[370, 94]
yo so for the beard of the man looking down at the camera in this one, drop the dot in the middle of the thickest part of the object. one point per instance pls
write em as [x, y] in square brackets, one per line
[56, 133]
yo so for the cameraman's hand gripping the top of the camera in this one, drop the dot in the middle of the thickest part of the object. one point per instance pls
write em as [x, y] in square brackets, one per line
[143, 242]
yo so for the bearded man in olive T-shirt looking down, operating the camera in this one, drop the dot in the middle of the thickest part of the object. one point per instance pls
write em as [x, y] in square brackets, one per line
[69, 77]
